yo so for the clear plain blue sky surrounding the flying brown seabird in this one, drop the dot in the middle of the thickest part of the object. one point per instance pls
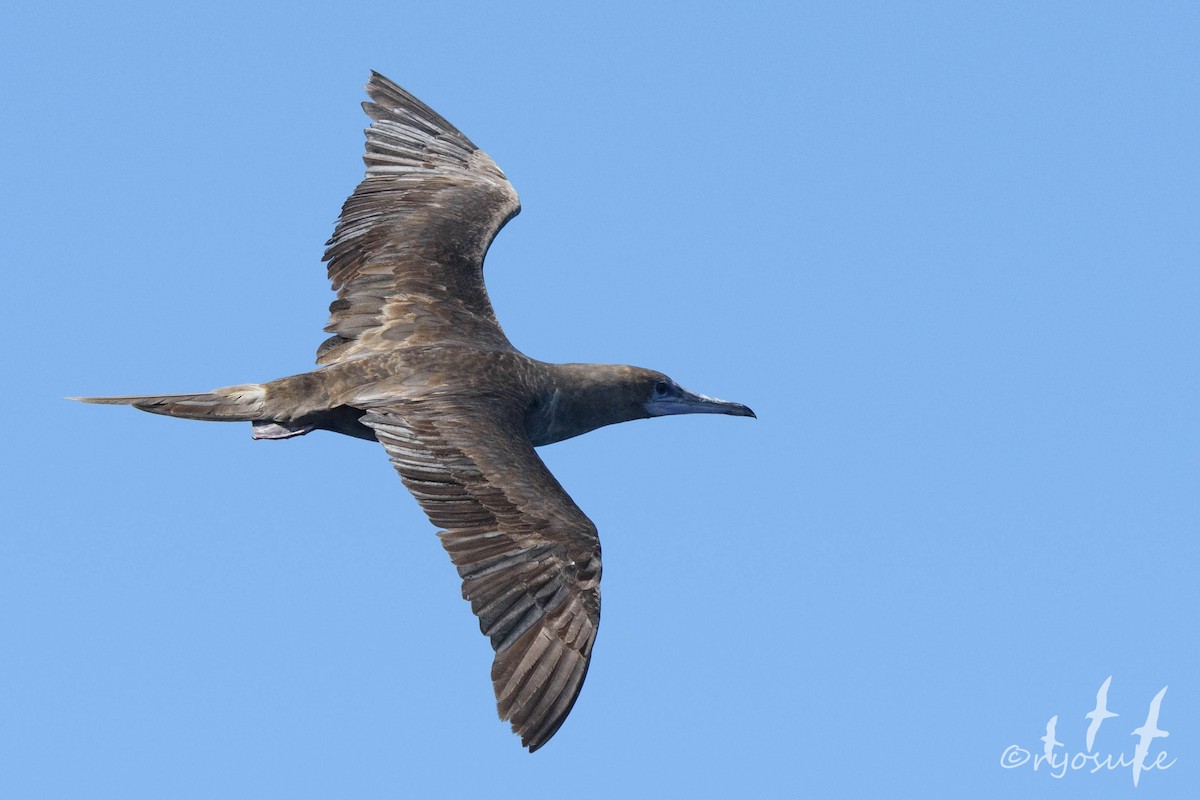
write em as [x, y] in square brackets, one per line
[949, 252]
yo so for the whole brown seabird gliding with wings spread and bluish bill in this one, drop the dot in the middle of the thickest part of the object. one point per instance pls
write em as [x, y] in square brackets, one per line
[419, 363]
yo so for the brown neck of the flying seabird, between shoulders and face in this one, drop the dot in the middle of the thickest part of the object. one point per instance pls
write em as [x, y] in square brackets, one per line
[581, 398]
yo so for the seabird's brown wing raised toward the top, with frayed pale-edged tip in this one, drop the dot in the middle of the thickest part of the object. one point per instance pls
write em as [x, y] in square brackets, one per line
[407, 254]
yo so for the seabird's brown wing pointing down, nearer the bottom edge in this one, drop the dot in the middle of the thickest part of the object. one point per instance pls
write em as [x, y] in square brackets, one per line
[529, 558]
